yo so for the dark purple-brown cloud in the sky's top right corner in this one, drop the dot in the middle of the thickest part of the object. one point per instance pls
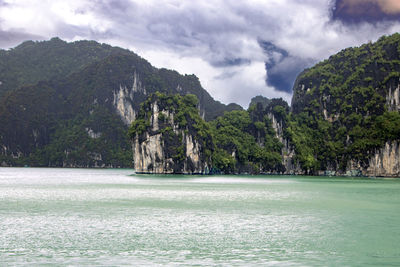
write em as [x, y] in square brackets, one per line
[372, 11]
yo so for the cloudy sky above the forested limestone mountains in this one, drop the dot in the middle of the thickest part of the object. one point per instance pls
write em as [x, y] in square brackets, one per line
[237, 48]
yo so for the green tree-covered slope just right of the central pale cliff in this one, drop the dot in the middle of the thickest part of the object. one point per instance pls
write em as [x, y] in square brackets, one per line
[246, 142]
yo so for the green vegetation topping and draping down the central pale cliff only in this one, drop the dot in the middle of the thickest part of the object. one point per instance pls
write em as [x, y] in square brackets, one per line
[177, 115]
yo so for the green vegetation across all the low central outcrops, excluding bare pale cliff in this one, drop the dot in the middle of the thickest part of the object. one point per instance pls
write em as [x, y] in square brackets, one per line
[239, 141]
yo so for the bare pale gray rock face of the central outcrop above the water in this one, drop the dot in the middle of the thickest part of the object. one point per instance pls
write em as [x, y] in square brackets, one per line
[152, 150]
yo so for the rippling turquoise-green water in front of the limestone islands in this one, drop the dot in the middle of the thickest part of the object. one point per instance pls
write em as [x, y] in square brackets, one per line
[86, 217]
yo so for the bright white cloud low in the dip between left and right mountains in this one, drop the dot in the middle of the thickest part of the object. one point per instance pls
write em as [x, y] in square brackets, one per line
[239, 83]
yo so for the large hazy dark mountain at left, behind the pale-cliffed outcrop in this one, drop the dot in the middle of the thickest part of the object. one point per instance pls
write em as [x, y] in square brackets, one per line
[70, 104]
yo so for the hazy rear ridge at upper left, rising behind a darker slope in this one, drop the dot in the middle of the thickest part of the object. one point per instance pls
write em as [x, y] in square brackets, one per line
[31, 62]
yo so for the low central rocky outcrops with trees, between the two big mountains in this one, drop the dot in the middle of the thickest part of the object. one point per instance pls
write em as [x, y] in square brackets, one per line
[169, 136]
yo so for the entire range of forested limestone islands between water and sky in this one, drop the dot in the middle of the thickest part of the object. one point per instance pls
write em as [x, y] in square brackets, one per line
[76, 110]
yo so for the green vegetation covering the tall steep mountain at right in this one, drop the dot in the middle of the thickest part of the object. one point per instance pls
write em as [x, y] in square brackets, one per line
[339, 106]
